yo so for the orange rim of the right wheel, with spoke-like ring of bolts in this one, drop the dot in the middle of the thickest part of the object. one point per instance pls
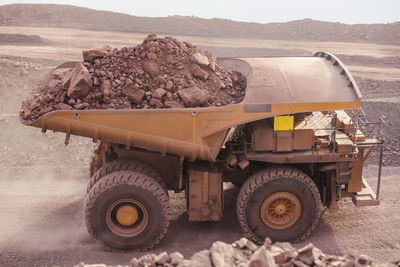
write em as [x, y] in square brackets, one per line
[280, 210]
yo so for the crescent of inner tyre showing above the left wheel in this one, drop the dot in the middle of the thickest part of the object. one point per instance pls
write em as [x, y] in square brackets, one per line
[125, 165]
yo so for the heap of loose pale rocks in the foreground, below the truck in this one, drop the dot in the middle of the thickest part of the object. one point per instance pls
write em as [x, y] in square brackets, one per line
[245, 253]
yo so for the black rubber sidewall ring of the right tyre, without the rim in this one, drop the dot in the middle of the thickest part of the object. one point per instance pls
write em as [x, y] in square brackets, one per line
[304, 223]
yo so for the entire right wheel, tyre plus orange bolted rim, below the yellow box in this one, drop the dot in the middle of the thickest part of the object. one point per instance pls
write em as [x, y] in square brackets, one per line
[281, 203]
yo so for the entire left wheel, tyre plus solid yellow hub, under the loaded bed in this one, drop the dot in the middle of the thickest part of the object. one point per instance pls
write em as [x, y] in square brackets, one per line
[127, 210]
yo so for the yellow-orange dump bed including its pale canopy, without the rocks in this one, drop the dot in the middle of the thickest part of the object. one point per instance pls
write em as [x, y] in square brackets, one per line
[275, 86]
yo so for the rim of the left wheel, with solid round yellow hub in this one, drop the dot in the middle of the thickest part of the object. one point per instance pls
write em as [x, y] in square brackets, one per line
[127, 217]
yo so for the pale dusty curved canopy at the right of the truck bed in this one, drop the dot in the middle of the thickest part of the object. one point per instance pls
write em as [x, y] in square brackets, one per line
[295, 80]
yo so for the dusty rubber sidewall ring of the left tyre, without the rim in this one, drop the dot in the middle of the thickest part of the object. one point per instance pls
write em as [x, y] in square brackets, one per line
[156, 217]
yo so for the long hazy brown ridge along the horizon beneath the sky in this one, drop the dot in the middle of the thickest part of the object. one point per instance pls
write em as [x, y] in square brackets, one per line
[306, 30]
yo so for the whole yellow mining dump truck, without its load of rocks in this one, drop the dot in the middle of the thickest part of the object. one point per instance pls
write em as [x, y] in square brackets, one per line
[294, 145]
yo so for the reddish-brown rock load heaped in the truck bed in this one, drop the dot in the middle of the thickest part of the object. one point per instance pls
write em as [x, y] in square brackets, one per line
[158, 73]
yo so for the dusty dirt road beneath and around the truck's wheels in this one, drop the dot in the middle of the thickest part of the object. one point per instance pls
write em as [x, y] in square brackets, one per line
[44, 223]
